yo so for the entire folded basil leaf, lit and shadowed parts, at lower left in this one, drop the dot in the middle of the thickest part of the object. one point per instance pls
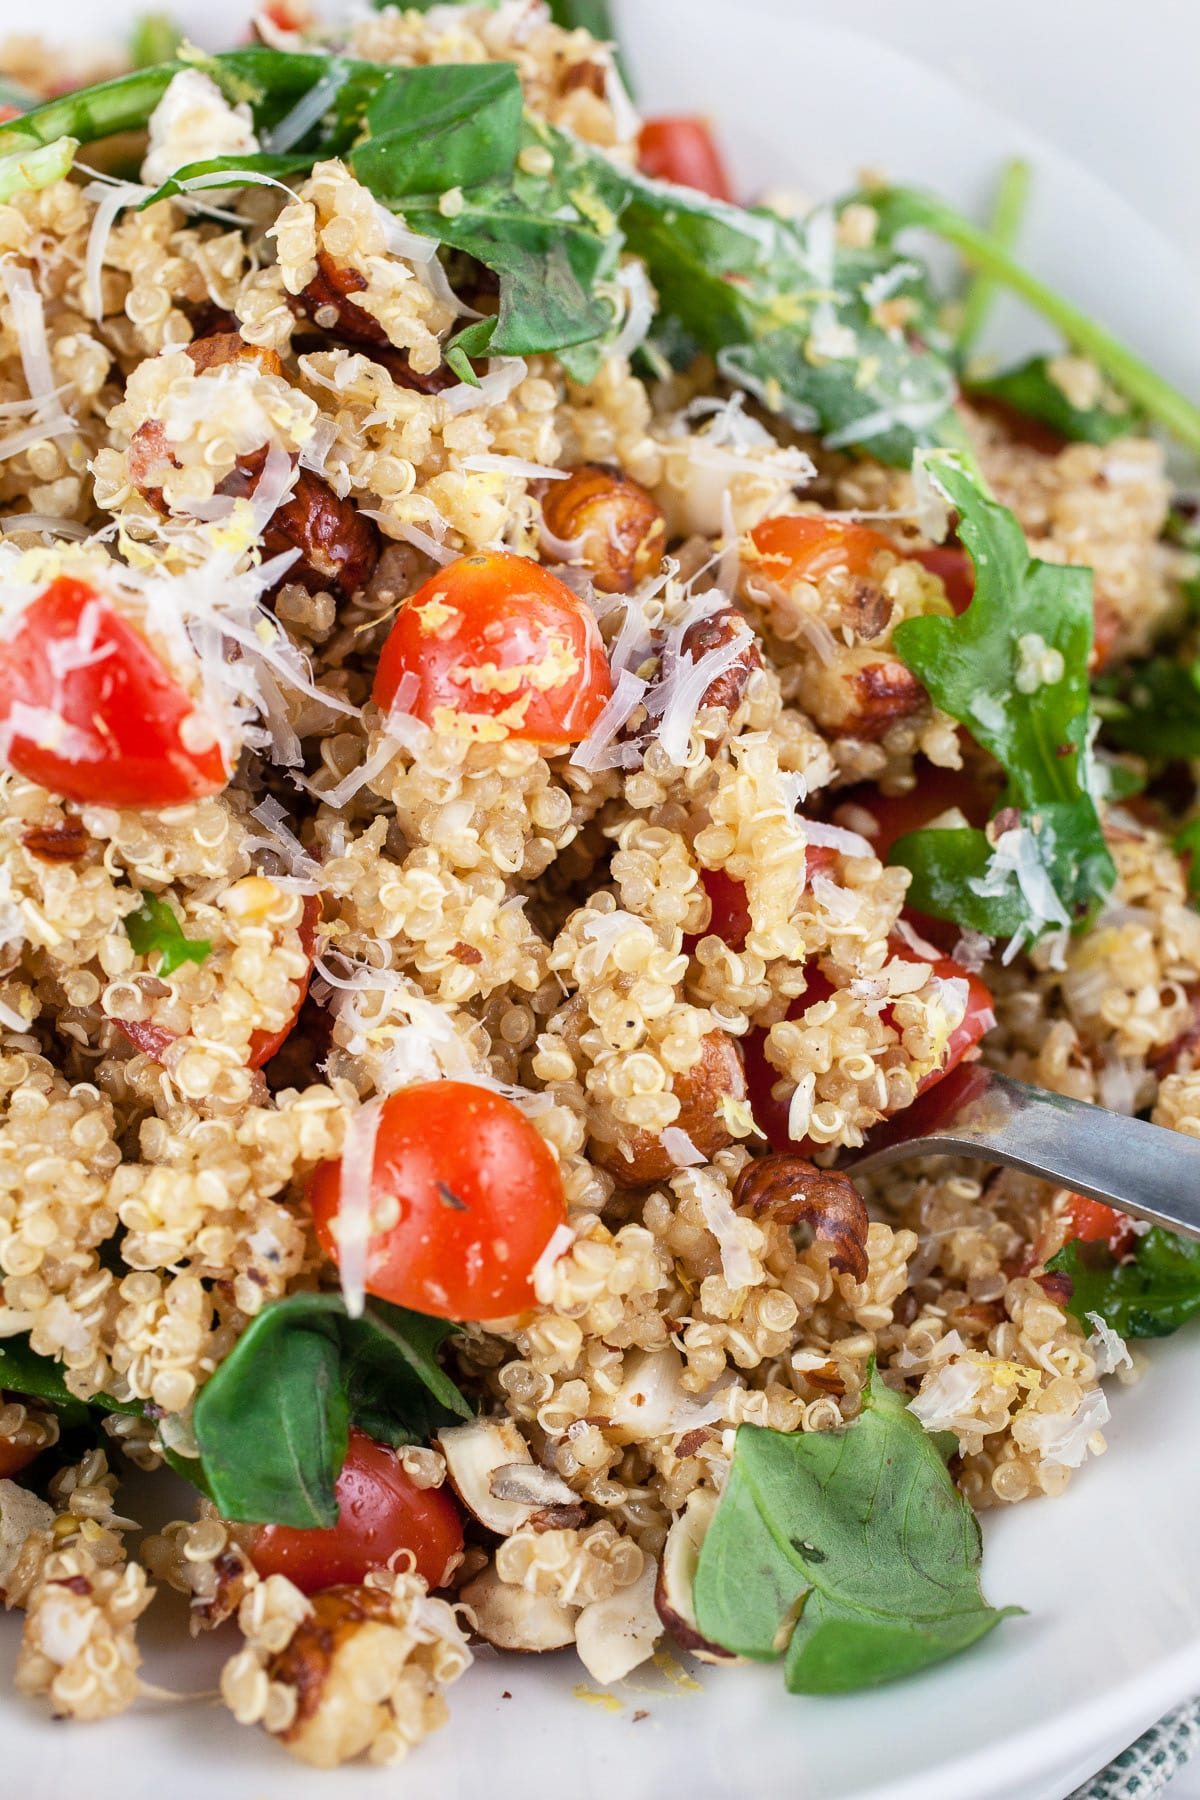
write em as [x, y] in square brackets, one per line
[273, 1423]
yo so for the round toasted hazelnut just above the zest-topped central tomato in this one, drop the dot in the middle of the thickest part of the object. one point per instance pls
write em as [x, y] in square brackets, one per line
[613, 526]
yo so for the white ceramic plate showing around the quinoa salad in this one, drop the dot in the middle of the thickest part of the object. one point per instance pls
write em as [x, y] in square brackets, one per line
[1111, 1574]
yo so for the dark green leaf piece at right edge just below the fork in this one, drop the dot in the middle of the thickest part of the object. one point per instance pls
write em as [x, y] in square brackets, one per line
[1149, 1295]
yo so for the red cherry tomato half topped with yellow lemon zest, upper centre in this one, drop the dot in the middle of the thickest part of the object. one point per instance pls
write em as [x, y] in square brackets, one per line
[497, 638]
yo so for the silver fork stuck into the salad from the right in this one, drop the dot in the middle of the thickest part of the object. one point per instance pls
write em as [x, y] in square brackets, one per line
[1140, 1169]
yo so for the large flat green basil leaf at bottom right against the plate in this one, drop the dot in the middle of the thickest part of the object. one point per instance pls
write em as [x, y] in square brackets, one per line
[859, 1536]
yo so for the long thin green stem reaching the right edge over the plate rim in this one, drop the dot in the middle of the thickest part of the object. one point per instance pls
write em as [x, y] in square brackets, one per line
[902, 208]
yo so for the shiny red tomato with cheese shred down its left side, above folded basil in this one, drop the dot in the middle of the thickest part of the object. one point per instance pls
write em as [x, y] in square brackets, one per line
[478, 1196]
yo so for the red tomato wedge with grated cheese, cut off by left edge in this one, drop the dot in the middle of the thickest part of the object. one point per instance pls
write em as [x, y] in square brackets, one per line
[89, 710]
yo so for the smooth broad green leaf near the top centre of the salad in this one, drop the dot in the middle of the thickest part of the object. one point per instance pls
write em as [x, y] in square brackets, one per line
[442, 127]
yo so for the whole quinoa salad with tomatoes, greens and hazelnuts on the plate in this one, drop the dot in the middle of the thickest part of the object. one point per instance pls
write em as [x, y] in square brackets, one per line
[539, 705]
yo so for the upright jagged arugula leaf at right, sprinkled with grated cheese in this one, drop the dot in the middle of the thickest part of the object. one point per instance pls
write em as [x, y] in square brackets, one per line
[978, 670]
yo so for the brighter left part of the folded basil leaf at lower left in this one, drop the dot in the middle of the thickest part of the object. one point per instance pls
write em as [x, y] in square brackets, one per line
[273, 1425]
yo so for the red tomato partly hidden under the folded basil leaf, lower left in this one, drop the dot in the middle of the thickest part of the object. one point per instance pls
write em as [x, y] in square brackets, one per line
[382, 1513]
